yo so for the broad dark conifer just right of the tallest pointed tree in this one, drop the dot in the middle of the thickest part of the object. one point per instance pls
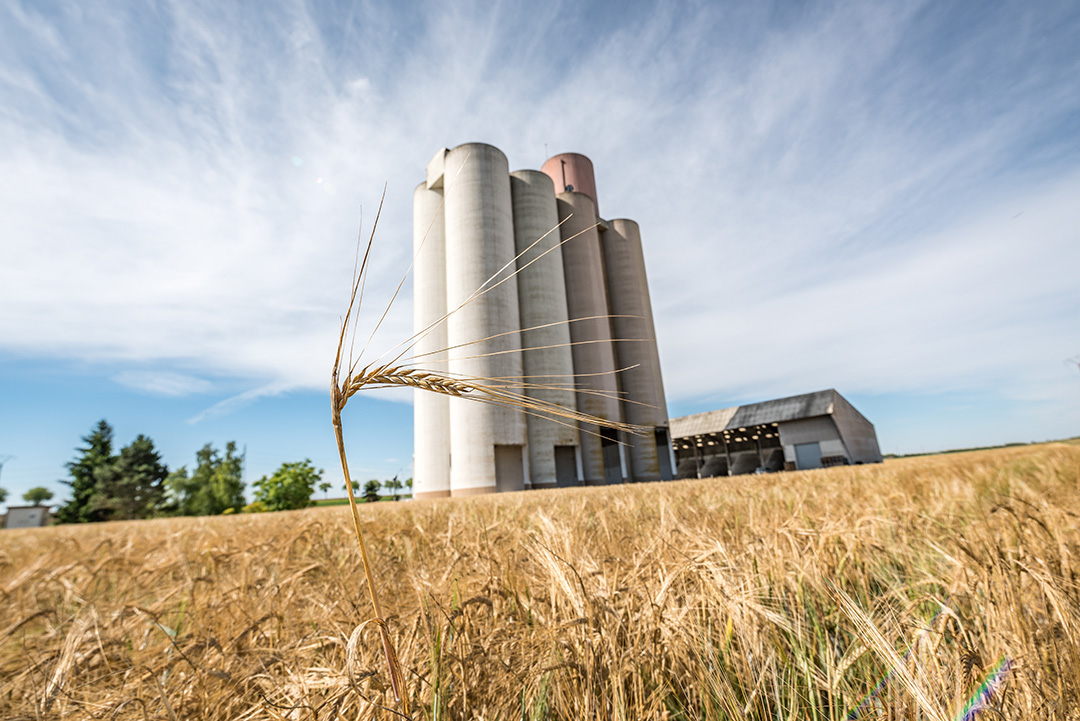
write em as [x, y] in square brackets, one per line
[133, 486]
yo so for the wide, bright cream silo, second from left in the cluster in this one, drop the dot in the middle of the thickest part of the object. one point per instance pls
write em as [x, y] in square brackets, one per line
[487, 442]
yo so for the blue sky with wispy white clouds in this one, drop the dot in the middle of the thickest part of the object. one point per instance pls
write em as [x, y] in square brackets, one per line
[880, 198]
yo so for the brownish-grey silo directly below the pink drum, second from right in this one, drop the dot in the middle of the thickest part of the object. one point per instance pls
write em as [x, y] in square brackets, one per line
[593, 355]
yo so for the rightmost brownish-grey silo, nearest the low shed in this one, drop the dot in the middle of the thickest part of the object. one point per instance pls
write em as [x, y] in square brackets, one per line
[636, 349]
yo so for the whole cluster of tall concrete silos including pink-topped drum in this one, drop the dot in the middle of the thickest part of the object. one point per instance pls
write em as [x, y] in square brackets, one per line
[519, 280]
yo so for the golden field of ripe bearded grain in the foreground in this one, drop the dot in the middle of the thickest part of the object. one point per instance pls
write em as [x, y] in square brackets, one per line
[939, 588]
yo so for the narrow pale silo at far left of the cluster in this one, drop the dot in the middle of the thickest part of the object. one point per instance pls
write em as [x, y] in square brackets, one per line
[431, 415]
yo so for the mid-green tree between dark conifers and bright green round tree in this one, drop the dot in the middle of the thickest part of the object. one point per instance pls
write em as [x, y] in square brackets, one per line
[218, 484]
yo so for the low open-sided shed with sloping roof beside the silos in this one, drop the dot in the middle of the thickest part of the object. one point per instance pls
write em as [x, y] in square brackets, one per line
[803, 432]
